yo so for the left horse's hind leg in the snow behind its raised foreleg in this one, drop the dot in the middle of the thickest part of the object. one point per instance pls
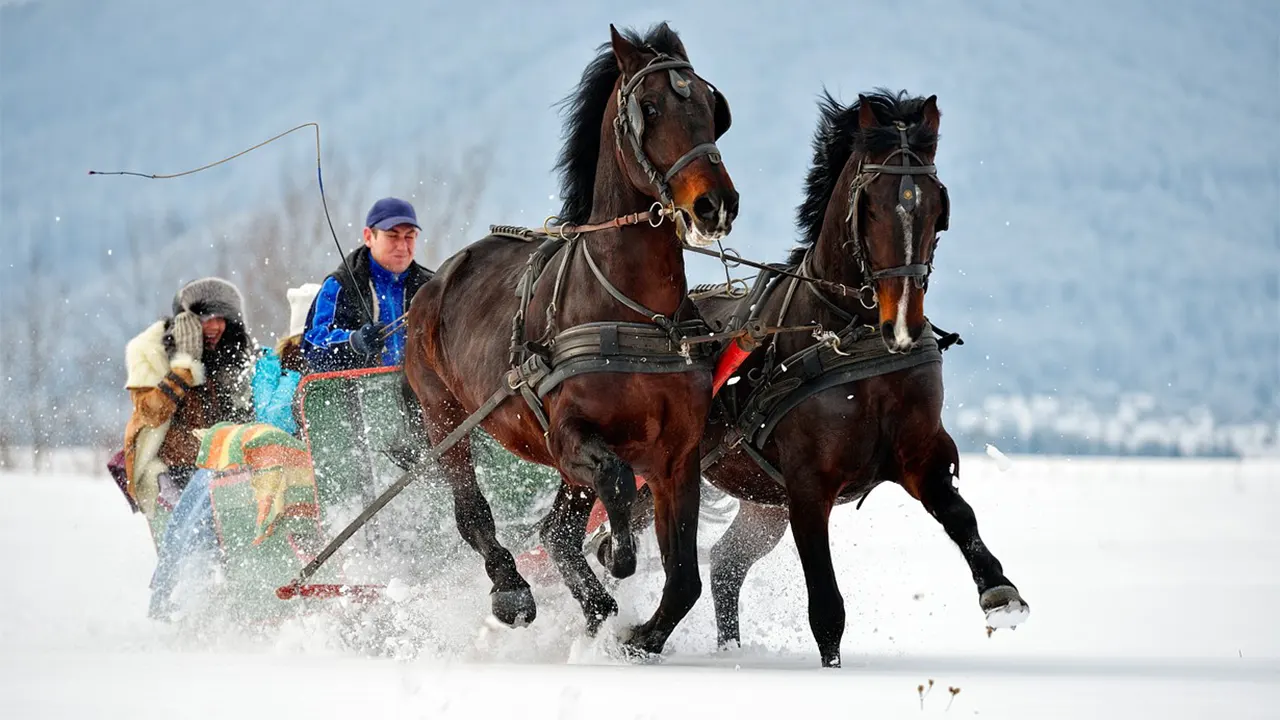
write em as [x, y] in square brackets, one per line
[563, 536]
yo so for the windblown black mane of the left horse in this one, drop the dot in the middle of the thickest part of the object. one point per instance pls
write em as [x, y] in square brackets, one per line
[586, 110]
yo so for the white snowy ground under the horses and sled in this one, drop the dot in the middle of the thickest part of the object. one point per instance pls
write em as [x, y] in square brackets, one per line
[1154, 590]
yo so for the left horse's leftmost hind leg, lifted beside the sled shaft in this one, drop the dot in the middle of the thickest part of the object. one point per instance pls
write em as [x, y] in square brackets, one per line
[511, 600]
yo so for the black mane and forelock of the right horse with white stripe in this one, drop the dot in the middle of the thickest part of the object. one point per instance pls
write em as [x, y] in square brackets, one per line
[838, 139]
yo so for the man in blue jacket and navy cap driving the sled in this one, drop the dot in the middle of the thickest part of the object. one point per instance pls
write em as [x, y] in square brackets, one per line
[382, 280]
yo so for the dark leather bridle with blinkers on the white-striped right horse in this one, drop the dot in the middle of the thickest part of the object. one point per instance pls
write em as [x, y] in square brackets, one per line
[908, 195]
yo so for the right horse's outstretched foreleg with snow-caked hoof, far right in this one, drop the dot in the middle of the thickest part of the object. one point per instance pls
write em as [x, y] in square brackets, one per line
[998, 596]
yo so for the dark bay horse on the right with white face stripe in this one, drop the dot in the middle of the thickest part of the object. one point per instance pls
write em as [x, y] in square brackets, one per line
[820, 420]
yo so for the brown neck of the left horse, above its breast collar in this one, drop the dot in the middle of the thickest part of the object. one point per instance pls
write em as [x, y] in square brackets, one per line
[644, 263]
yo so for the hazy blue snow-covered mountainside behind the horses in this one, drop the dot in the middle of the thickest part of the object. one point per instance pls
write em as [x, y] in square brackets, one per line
[1113, 166]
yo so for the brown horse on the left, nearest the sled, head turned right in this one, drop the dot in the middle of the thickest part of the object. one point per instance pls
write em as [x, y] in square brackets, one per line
[609, 386]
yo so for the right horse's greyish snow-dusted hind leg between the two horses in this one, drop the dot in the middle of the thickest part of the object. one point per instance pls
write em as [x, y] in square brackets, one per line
[755, 534]
